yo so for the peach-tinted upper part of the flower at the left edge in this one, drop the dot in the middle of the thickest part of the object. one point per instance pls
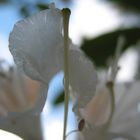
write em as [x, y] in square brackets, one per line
[17, 92]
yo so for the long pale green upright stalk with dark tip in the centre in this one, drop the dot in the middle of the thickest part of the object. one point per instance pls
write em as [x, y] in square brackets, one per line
[66, 14]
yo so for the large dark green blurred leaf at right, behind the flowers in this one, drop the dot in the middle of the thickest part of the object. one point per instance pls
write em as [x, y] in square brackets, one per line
[101, 48]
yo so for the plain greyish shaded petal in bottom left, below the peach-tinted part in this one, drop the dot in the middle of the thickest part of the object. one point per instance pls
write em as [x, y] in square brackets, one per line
[25, 125]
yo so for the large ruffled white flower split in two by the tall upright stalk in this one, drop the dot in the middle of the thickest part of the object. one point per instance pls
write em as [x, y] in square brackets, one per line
[36, 44]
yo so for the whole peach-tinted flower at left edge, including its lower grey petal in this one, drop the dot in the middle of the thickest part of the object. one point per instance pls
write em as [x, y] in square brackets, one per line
[17, 102]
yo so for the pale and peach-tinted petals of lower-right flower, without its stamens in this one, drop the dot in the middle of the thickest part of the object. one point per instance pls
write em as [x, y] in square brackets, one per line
[124, 123]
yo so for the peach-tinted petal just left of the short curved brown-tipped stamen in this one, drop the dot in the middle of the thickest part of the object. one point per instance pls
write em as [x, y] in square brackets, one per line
[97, 111]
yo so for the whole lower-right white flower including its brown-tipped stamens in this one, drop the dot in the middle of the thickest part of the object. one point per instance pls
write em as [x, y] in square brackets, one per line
[113, 112]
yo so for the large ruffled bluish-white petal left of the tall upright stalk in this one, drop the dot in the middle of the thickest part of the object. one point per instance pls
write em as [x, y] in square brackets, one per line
[36, 43]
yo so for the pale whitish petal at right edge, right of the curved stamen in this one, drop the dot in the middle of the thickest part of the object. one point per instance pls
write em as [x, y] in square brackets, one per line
[127, 115]
